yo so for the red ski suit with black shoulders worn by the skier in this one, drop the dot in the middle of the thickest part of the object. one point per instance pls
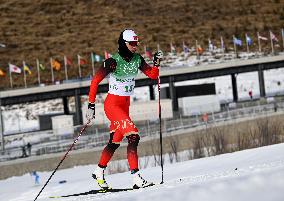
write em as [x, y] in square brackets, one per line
[117, 110]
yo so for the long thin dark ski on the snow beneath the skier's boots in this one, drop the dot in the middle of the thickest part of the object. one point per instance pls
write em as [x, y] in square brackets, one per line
[99, 191]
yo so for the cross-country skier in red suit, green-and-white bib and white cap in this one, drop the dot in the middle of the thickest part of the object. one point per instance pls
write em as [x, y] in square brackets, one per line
[123, 68]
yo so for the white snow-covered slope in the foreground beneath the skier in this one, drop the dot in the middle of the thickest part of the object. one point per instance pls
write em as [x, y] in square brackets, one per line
[255, 174]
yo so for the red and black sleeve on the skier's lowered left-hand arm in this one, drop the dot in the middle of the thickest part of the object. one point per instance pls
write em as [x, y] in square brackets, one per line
[108, 66]
